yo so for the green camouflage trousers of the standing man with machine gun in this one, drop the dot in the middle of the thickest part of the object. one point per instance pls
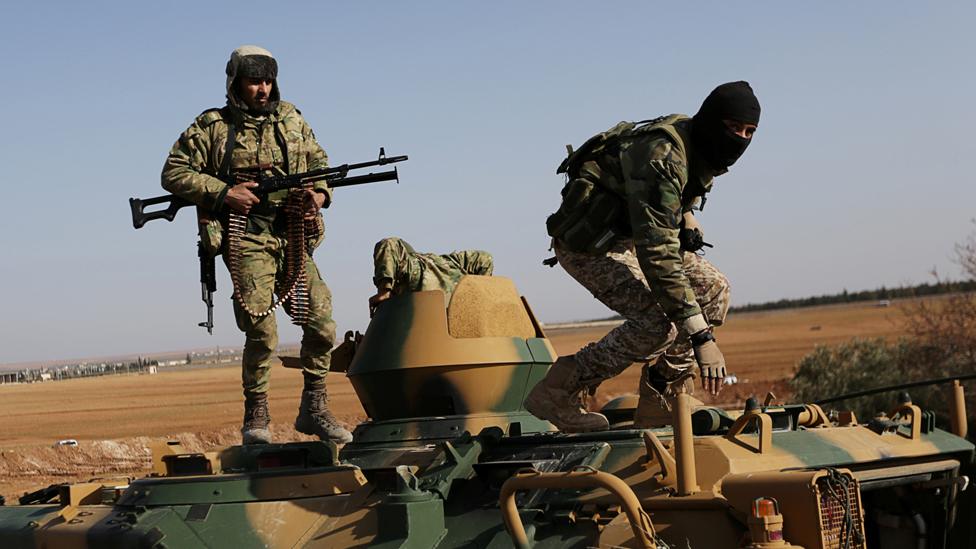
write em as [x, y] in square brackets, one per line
[262, 264]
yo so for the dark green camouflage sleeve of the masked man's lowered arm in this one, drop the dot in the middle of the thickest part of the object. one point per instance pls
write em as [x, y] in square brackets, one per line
[653, 175]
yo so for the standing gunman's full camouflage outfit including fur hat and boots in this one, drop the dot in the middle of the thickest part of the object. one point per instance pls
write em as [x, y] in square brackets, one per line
[276, 140]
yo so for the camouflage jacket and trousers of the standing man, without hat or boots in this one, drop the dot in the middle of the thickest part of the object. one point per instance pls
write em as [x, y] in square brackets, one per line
[191, 172]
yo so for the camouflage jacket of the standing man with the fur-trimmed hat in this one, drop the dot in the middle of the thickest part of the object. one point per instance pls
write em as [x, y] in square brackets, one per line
[281, 140]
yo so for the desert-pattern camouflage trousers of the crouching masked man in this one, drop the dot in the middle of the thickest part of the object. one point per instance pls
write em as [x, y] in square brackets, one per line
[646, 336]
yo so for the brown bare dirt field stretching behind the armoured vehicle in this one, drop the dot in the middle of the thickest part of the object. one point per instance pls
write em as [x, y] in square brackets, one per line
[113, 418]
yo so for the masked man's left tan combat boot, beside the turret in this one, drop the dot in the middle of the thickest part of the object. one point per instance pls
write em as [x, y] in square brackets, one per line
[557, 399]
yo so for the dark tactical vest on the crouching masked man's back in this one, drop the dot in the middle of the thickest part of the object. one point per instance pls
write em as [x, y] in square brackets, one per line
[593, 213]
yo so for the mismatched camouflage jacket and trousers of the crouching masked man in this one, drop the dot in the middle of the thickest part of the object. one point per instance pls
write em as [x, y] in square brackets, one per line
[646, 277]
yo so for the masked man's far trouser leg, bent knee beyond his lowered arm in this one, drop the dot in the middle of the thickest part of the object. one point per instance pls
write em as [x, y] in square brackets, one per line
[712, 289]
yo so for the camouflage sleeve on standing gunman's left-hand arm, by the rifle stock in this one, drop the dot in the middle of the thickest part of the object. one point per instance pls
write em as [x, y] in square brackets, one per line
[184, 173]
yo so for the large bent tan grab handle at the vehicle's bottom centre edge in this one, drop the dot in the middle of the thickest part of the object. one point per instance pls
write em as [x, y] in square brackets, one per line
[530, 479]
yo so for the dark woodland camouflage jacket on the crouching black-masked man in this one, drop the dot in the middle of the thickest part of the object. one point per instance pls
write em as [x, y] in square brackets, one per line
[657, 175]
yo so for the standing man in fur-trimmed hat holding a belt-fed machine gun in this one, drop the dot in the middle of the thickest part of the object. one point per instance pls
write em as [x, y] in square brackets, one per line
[270, 252]
